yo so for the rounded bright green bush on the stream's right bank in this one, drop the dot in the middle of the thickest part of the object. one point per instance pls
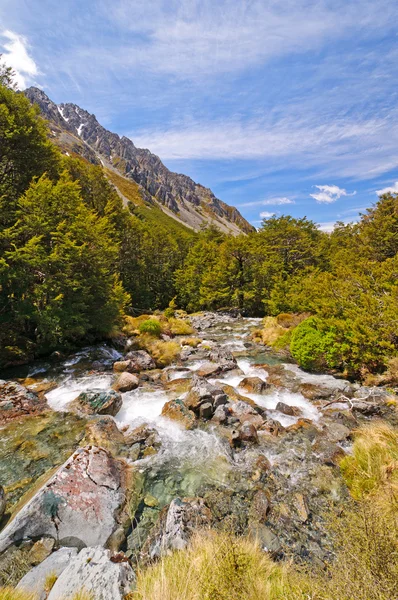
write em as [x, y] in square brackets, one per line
[314, 345]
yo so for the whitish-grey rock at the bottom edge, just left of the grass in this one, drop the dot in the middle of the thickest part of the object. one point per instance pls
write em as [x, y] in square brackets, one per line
[97, 573]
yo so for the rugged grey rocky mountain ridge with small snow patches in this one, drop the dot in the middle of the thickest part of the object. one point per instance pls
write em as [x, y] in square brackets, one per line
[77, 131]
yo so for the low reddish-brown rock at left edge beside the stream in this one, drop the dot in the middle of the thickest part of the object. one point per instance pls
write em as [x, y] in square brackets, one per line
[16, 401]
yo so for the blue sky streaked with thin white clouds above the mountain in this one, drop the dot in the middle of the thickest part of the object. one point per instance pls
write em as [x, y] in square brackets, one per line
[280, 107]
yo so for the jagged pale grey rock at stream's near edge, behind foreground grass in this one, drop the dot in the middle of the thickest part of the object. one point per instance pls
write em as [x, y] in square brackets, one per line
[176, 524]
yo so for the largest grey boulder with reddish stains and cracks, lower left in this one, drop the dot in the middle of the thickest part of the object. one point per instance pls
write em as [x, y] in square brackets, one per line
[78, 506]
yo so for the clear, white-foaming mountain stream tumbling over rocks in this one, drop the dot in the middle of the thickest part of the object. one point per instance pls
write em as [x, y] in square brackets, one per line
[294, 460]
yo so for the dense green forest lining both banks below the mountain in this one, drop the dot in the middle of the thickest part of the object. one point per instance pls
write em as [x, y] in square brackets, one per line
[74, 261]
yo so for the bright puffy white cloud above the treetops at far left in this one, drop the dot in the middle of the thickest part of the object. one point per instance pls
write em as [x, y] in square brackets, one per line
[16, 56]
